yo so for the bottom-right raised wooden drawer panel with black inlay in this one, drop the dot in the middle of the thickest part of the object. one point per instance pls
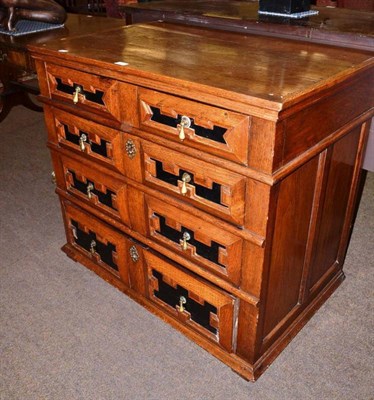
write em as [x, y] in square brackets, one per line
[200, 306]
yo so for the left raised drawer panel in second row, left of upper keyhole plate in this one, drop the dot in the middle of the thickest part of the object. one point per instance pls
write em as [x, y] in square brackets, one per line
[96, 142]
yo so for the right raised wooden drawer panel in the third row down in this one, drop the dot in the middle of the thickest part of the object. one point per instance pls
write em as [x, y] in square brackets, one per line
[197, 240]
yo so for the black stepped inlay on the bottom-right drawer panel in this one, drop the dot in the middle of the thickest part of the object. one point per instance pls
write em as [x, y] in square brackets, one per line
[169, 295]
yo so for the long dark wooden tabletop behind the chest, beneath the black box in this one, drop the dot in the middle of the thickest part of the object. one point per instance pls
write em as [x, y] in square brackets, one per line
[342, 27]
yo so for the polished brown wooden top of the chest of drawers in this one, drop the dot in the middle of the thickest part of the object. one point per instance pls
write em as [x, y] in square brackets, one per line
[268, 72]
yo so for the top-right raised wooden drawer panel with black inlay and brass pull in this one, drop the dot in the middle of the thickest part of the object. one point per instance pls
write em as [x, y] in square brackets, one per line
[218, 131]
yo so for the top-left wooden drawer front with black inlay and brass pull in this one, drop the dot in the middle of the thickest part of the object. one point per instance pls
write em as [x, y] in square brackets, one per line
[117, 100]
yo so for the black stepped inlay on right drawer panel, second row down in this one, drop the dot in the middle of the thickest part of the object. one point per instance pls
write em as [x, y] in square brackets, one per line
[213, 194]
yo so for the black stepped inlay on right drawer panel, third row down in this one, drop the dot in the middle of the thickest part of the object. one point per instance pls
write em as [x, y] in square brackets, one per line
[209, 253]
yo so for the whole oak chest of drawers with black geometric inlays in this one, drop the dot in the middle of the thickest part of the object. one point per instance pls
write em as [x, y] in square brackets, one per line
[210, 176]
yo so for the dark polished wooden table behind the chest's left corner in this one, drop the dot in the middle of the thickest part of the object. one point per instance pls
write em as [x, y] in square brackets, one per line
[17, 70]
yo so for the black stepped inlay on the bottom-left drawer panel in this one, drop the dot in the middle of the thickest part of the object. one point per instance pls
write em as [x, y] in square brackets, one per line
[84, 240]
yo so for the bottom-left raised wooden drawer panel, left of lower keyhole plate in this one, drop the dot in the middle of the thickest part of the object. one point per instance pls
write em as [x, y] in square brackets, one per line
[97, 241]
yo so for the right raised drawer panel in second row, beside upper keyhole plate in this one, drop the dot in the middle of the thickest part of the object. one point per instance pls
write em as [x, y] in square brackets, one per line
[208, 187]
